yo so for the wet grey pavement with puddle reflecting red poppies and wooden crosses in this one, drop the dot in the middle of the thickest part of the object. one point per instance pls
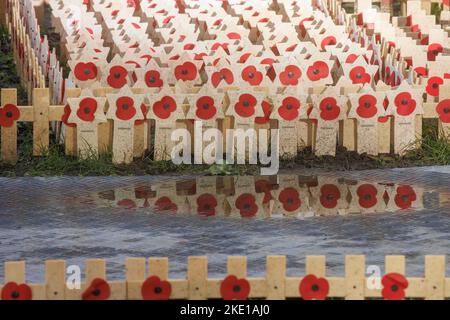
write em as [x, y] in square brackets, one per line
[376, 213]
